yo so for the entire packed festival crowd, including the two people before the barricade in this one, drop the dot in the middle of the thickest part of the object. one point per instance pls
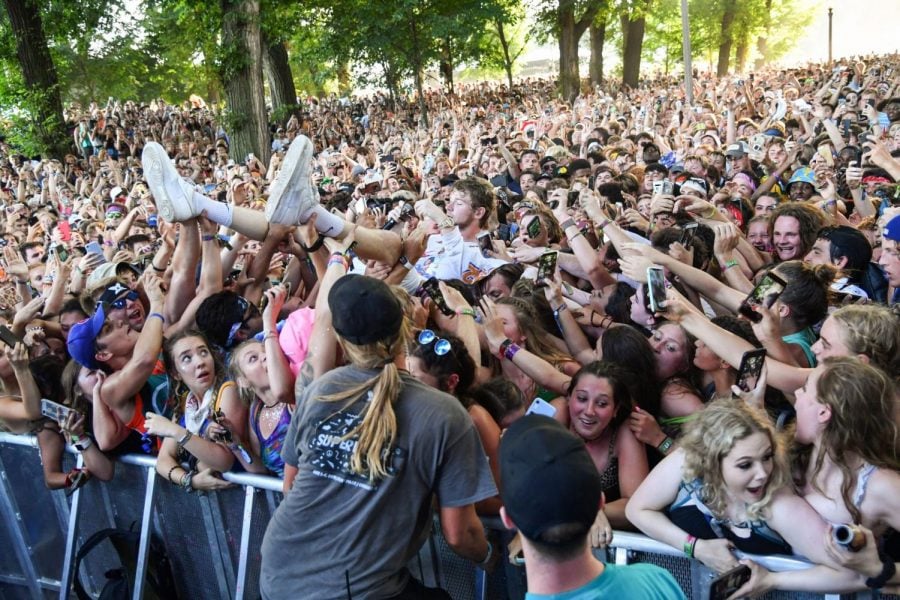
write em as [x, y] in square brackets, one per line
[365, 314]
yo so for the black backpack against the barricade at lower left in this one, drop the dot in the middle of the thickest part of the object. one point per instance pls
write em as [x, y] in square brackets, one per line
[160, 583]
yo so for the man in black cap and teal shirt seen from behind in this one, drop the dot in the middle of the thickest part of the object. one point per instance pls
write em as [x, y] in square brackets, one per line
[551, 494]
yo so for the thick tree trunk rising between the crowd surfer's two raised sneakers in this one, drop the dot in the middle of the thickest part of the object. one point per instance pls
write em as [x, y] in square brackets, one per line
[242, 79]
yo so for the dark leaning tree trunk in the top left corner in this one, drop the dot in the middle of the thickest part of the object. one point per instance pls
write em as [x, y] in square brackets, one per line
[39, 75]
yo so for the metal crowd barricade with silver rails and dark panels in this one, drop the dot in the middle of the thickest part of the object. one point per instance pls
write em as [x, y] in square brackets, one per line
[213, 540]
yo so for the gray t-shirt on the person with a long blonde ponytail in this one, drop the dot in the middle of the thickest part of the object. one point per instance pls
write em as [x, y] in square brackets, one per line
[334, 524]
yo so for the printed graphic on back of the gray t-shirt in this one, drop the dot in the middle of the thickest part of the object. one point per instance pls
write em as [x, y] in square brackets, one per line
[332, 449]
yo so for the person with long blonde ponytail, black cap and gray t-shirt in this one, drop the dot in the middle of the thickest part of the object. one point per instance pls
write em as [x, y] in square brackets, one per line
[369, 448]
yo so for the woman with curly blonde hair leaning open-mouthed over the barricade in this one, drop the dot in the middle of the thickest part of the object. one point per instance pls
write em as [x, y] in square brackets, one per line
[727, 487]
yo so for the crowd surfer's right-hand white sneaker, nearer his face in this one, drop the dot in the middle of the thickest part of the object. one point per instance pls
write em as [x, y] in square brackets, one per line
[293, 193]
